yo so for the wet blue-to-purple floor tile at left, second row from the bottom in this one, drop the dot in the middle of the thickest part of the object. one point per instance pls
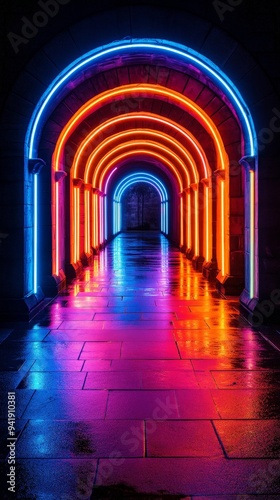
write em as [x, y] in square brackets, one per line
[81, 439]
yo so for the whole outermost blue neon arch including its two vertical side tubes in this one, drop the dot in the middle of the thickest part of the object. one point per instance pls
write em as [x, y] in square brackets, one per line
[189, 56]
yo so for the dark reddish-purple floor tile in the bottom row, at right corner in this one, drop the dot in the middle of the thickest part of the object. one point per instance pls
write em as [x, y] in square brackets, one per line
[188, 476]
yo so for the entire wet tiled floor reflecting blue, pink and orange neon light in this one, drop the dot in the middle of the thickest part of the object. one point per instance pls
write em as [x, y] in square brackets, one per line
[141, 382]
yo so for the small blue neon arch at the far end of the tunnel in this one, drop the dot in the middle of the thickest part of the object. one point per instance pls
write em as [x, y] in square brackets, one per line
[128, 181]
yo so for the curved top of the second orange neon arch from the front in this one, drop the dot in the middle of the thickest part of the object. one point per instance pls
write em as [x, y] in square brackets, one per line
[193, 145]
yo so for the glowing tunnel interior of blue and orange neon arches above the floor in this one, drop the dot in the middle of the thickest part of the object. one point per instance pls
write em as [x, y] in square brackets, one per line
[149, 115]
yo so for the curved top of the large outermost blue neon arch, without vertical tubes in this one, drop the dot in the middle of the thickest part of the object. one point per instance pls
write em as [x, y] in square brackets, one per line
[188, 55]
